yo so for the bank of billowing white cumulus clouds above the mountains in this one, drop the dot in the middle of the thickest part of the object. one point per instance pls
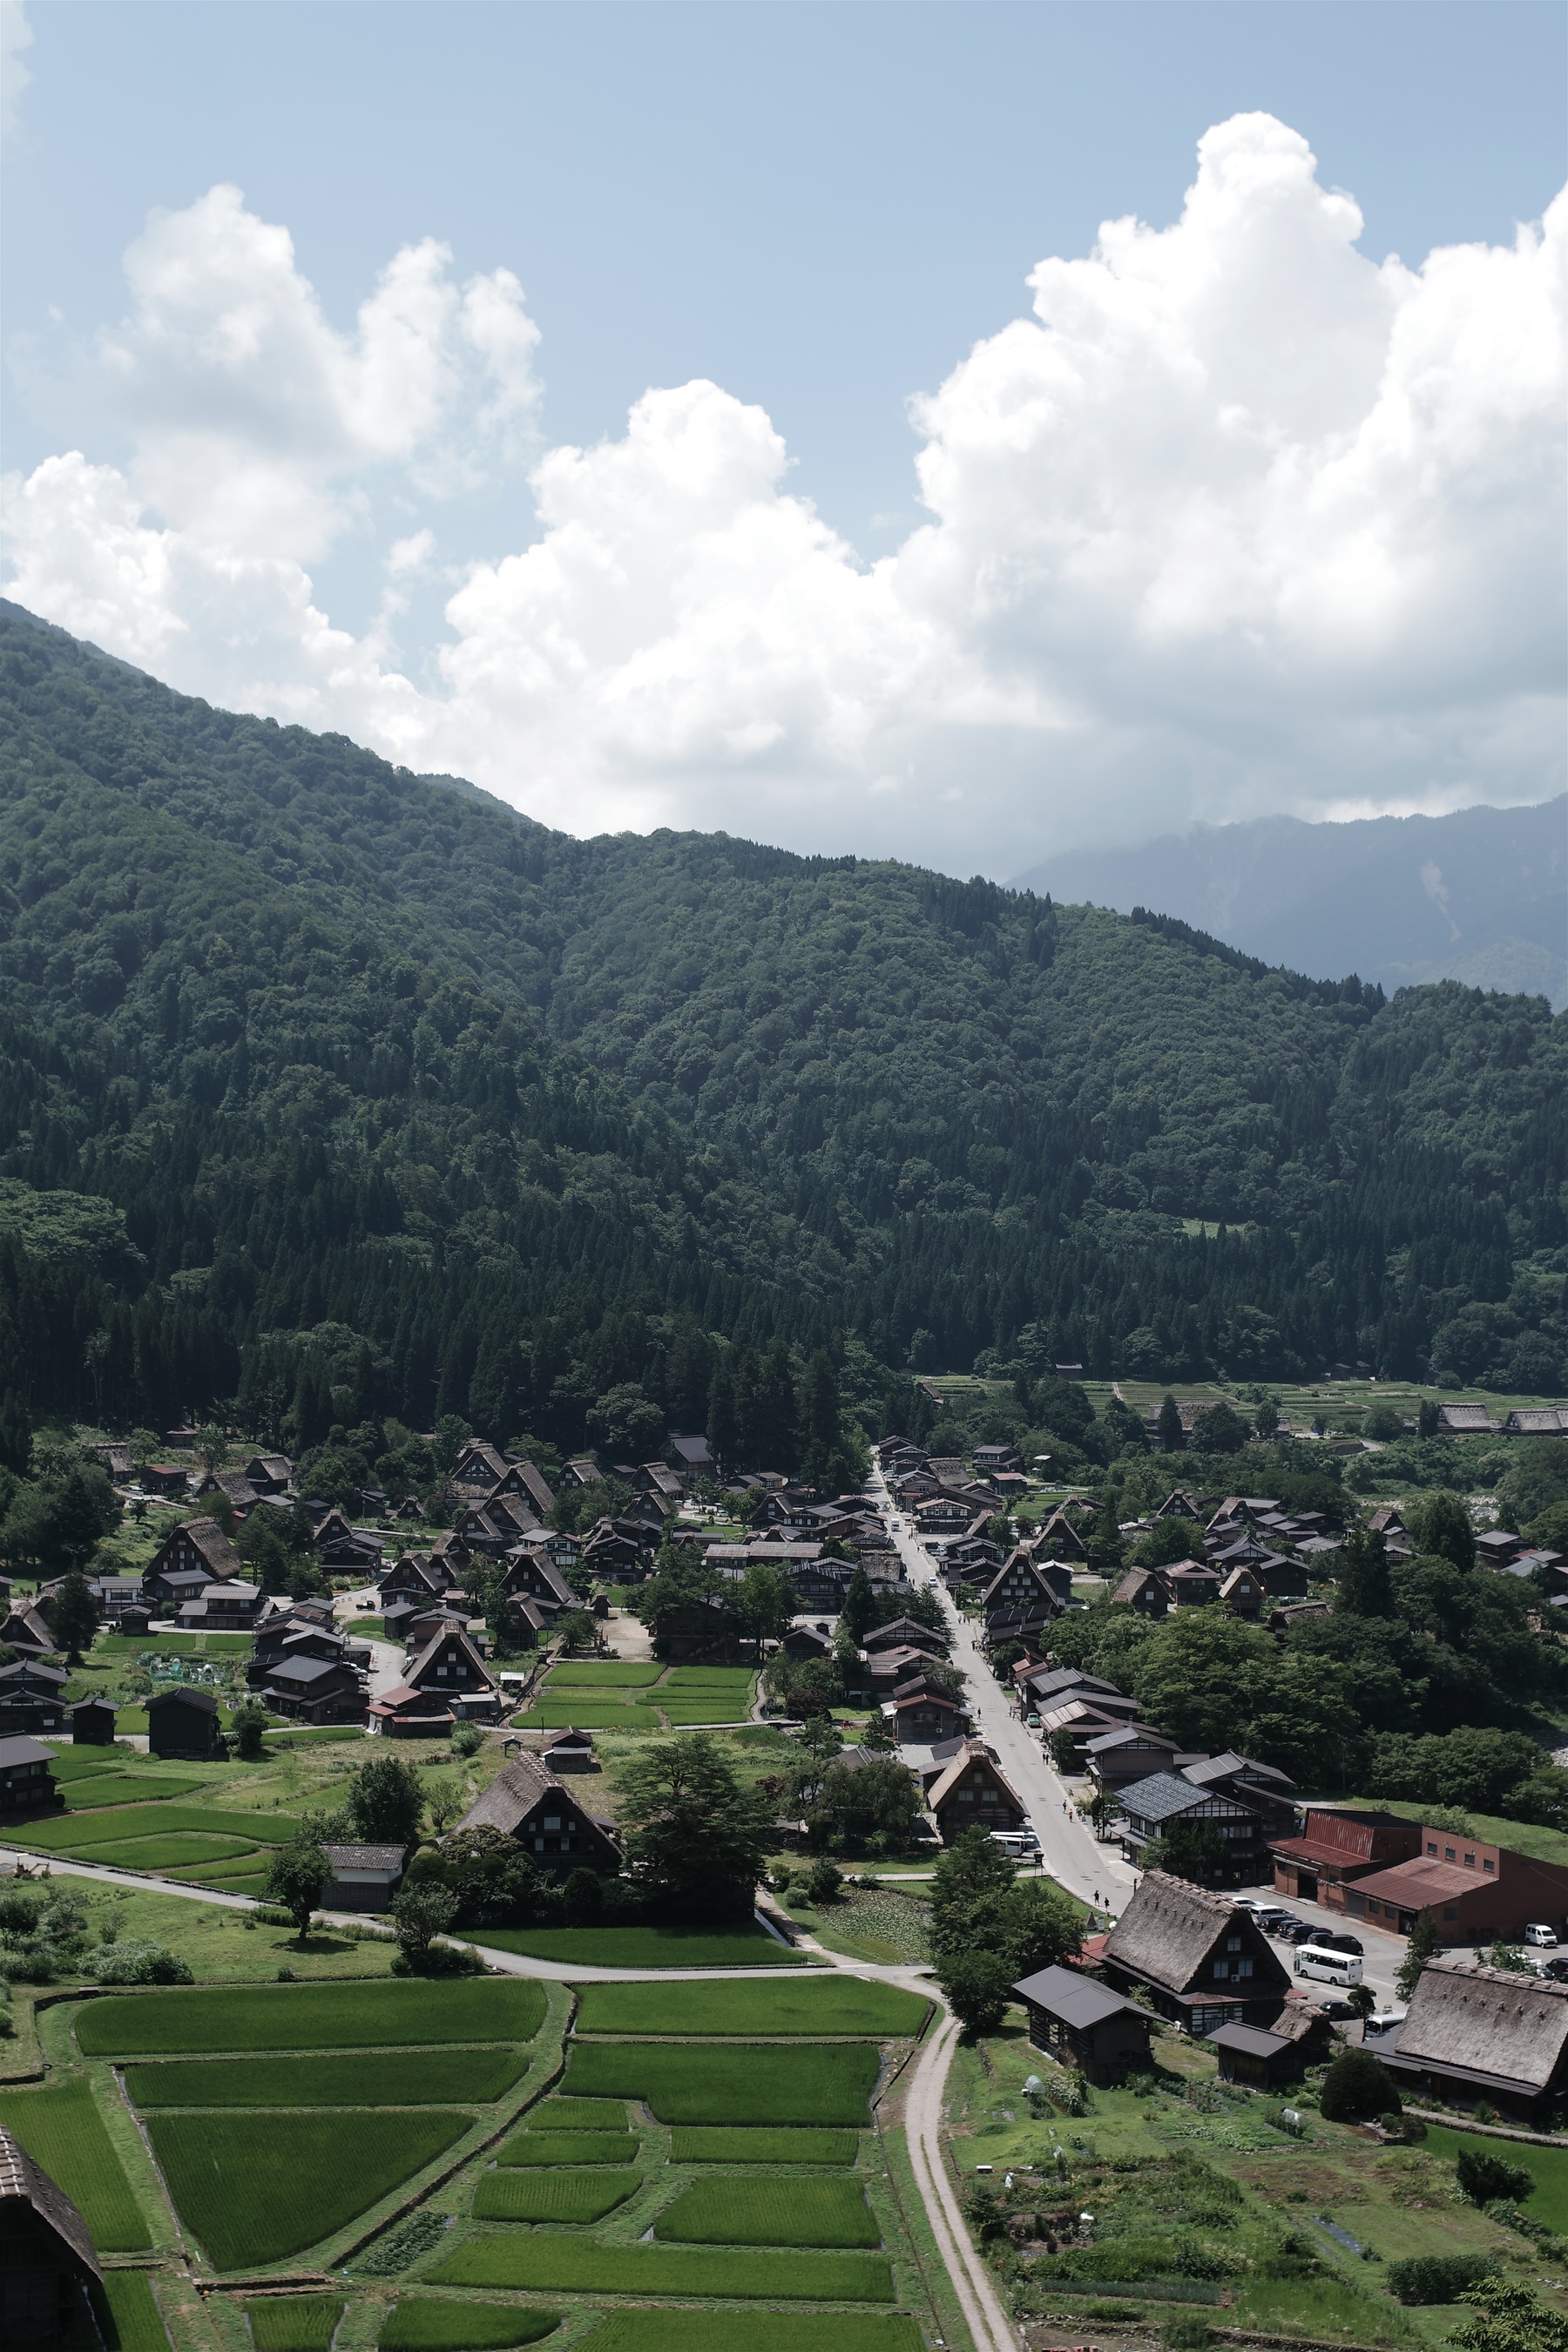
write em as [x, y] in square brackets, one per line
[1235, 521]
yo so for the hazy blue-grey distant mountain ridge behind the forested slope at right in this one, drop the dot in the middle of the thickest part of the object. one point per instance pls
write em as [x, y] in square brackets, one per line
[1477, 897]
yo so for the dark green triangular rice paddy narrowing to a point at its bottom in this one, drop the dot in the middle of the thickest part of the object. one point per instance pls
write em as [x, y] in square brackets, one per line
[260, 2186]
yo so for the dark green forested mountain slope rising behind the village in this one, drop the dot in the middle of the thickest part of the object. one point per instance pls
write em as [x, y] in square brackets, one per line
[537, 1118]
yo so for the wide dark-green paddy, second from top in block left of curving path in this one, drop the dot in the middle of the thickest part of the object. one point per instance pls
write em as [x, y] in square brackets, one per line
[826, 2083]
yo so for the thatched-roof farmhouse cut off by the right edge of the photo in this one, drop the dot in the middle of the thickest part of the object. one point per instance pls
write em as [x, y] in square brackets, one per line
[1482, 2036]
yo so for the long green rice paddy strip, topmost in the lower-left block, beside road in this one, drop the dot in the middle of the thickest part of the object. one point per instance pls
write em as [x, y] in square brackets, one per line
[311, 2017]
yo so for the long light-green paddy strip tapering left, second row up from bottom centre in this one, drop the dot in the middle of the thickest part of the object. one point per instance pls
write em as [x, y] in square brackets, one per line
[554, 2264]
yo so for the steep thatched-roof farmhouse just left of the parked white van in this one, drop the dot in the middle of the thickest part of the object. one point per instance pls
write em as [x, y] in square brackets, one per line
[1202, 1958]
